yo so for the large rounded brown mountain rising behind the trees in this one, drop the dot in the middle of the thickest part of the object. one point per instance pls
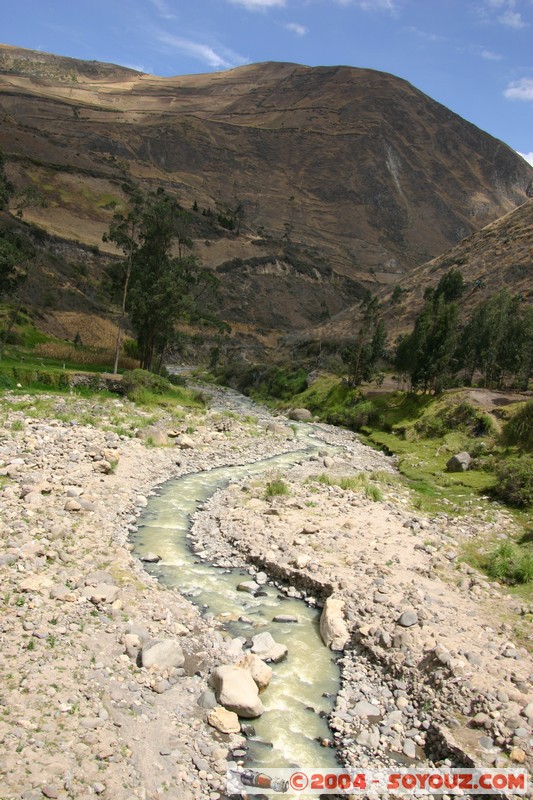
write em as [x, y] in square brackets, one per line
[348, 178]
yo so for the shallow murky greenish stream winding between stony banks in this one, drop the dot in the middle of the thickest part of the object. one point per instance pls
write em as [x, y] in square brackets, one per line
[306, 682]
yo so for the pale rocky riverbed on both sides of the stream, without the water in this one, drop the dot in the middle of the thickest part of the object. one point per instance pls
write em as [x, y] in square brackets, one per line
[106, 675]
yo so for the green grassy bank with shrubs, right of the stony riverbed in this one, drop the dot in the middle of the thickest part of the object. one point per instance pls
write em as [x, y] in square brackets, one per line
[423, 432]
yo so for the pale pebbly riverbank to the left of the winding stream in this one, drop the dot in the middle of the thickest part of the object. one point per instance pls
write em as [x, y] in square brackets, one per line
[78, 717]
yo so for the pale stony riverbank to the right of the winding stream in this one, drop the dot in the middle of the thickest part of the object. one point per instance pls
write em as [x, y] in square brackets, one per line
[435, 667]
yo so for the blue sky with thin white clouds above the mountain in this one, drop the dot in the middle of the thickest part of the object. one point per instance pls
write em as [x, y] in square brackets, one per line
[474, 56]
